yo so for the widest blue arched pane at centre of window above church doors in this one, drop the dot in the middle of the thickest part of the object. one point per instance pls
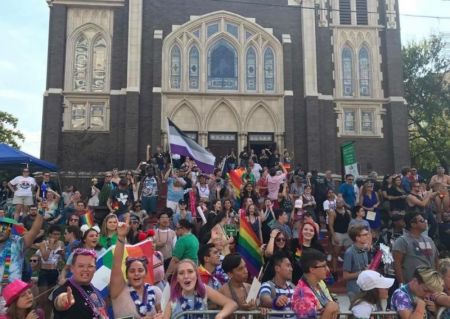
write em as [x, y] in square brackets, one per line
[222, 66]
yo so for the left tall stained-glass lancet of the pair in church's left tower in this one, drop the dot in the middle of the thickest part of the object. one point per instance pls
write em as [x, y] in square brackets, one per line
[80, 68]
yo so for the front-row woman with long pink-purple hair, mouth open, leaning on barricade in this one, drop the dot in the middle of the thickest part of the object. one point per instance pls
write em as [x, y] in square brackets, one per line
[188, 293]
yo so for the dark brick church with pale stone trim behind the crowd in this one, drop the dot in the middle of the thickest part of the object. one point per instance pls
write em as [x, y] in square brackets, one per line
[301, 75]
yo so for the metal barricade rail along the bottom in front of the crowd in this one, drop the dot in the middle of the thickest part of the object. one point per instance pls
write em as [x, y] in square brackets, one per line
[210, 314]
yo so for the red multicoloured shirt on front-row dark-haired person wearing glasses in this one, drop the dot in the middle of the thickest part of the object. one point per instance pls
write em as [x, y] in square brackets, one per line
[306, 303]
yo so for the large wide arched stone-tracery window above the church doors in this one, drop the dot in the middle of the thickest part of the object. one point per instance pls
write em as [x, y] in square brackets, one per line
[232, 54]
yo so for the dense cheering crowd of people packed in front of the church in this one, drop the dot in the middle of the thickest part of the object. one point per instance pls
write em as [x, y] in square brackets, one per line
[387, 239]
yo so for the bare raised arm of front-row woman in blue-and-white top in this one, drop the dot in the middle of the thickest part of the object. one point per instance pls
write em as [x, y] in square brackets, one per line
[117, 282]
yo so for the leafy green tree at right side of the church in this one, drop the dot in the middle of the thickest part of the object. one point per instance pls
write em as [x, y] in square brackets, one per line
[427, 92]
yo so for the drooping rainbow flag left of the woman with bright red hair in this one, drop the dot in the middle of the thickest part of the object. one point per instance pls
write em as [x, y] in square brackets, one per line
[249, 247]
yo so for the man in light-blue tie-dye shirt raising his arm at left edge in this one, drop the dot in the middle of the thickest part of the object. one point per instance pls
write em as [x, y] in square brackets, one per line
[12, 248]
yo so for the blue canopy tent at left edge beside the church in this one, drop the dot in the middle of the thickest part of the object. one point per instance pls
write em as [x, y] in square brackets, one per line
[11, 158]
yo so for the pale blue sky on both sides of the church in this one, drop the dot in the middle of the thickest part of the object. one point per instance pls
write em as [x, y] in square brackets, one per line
[23, 57]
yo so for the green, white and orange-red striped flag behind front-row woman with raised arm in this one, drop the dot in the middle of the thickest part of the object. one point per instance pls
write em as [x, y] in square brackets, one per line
[105, 261]
